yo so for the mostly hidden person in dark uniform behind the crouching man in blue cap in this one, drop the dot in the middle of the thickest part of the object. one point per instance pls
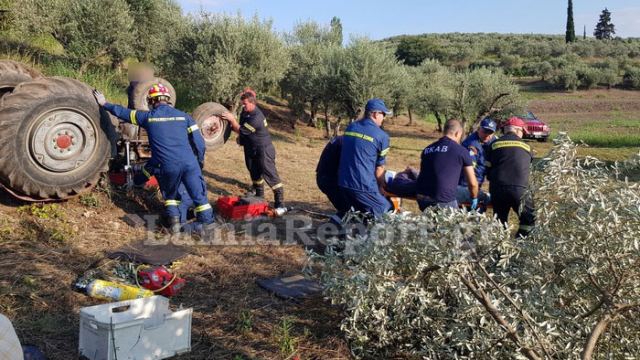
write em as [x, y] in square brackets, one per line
[327, 177]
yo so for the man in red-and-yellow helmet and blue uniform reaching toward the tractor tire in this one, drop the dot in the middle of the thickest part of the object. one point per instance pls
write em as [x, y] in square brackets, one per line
[172, 133]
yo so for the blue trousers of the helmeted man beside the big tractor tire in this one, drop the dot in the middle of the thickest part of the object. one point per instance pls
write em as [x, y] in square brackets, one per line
[190, 176]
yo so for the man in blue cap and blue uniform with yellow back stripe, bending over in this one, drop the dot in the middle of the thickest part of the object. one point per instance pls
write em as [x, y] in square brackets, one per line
[364, 149]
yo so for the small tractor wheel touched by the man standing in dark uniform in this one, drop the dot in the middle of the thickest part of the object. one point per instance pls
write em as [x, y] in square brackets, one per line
[214, 129]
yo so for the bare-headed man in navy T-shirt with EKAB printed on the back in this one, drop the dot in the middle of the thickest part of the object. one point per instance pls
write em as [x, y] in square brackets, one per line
[441, 164]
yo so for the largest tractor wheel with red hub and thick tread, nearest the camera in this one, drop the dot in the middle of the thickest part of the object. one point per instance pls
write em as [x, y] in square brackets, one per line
[51, 142]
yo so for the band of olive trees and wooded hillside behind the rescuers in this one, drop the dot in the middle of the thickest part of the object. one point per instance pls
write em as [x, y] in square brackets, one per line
[212, 57]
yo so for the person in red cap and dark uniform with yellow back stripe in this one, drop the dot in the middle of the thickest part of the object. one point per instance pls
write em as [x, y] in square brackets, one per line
[509, 162]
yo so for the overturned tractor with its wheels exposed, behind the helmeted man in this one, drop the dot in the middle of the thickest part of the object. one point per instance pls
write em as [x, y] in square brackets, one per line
[55, 142]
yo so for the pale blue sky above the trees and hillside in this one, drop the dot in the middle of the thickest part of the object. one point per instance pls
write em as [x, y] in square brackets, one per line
[378, 19]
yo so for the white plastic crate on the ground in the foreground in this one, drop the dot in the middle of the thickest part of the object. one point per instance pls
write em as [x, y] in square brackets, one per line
[141, 329]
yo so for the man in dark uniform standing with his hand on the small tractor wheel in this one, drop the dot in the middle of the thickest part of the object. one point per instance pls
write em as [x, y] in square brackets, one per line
[259, 153]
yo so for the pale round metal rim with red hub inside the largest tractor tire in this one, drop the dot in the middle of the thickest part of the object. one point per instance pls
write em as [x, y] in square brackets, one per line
[63, 140]
